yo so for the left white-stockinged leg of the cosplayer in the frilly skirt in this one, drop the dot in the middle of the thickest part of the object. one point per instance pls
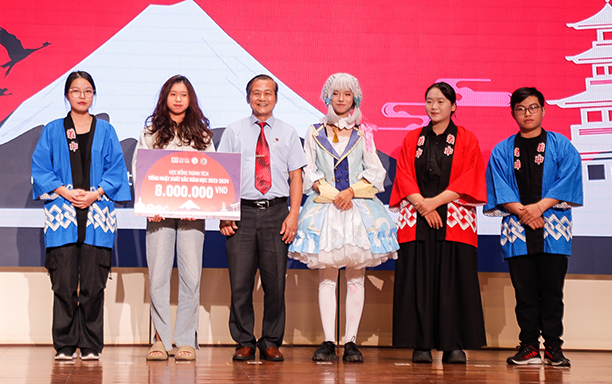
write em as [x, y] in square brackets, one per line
[328, 279]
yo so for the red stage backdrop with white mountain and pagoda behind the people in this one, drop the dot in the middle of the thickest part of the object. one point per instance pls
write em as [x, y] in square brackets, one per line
[484, 49]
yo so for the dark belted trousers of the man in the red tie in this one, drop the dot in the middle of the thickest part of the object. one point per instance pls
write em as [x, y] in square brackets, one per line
[257, 243]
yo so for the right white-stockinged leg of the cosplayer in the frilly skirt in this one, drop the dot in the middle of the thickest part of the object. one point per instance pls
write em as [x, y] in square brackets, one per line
[355, 296]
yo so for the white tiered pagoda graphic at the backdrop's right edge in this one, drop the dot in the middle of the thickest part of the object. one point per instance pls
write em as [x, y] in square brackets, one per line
[593, 136]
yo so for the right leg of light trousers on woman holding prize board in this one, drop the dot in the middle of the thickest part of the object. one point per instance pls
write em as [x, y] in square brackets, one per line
[189, 248]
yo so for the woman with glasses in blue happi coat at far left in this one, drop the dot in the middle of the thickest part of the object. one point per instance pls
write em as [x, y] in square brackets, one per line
[79, 173]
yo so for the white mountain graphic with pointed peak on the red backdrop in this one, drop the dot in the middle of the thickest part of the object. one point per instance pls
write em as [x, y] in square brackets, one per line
[130, 68]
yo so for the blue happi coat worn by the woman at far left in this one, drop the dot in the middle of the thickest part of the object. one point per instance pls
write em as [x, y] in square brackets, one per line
[51, 169]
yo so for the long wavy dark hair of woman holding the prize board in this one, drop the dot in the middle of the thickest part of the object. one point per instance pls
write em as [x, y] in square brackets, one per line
[193, 130]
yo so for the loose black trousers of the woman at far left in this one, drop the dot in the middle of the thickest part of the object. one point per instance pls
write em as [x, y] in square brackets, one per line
[78, 277]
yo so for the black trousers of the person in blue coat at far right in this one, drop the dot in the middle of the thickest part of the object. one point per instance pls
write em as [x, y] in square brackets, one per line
[538, 285]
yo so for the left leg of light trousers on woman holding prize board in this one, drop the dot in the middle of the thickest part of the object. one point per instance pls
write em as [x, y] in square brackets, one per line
[160, 239]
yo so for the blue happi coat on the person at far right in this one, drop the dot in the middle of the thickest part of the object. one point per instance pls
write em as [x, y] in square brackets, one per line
[561, 180]
